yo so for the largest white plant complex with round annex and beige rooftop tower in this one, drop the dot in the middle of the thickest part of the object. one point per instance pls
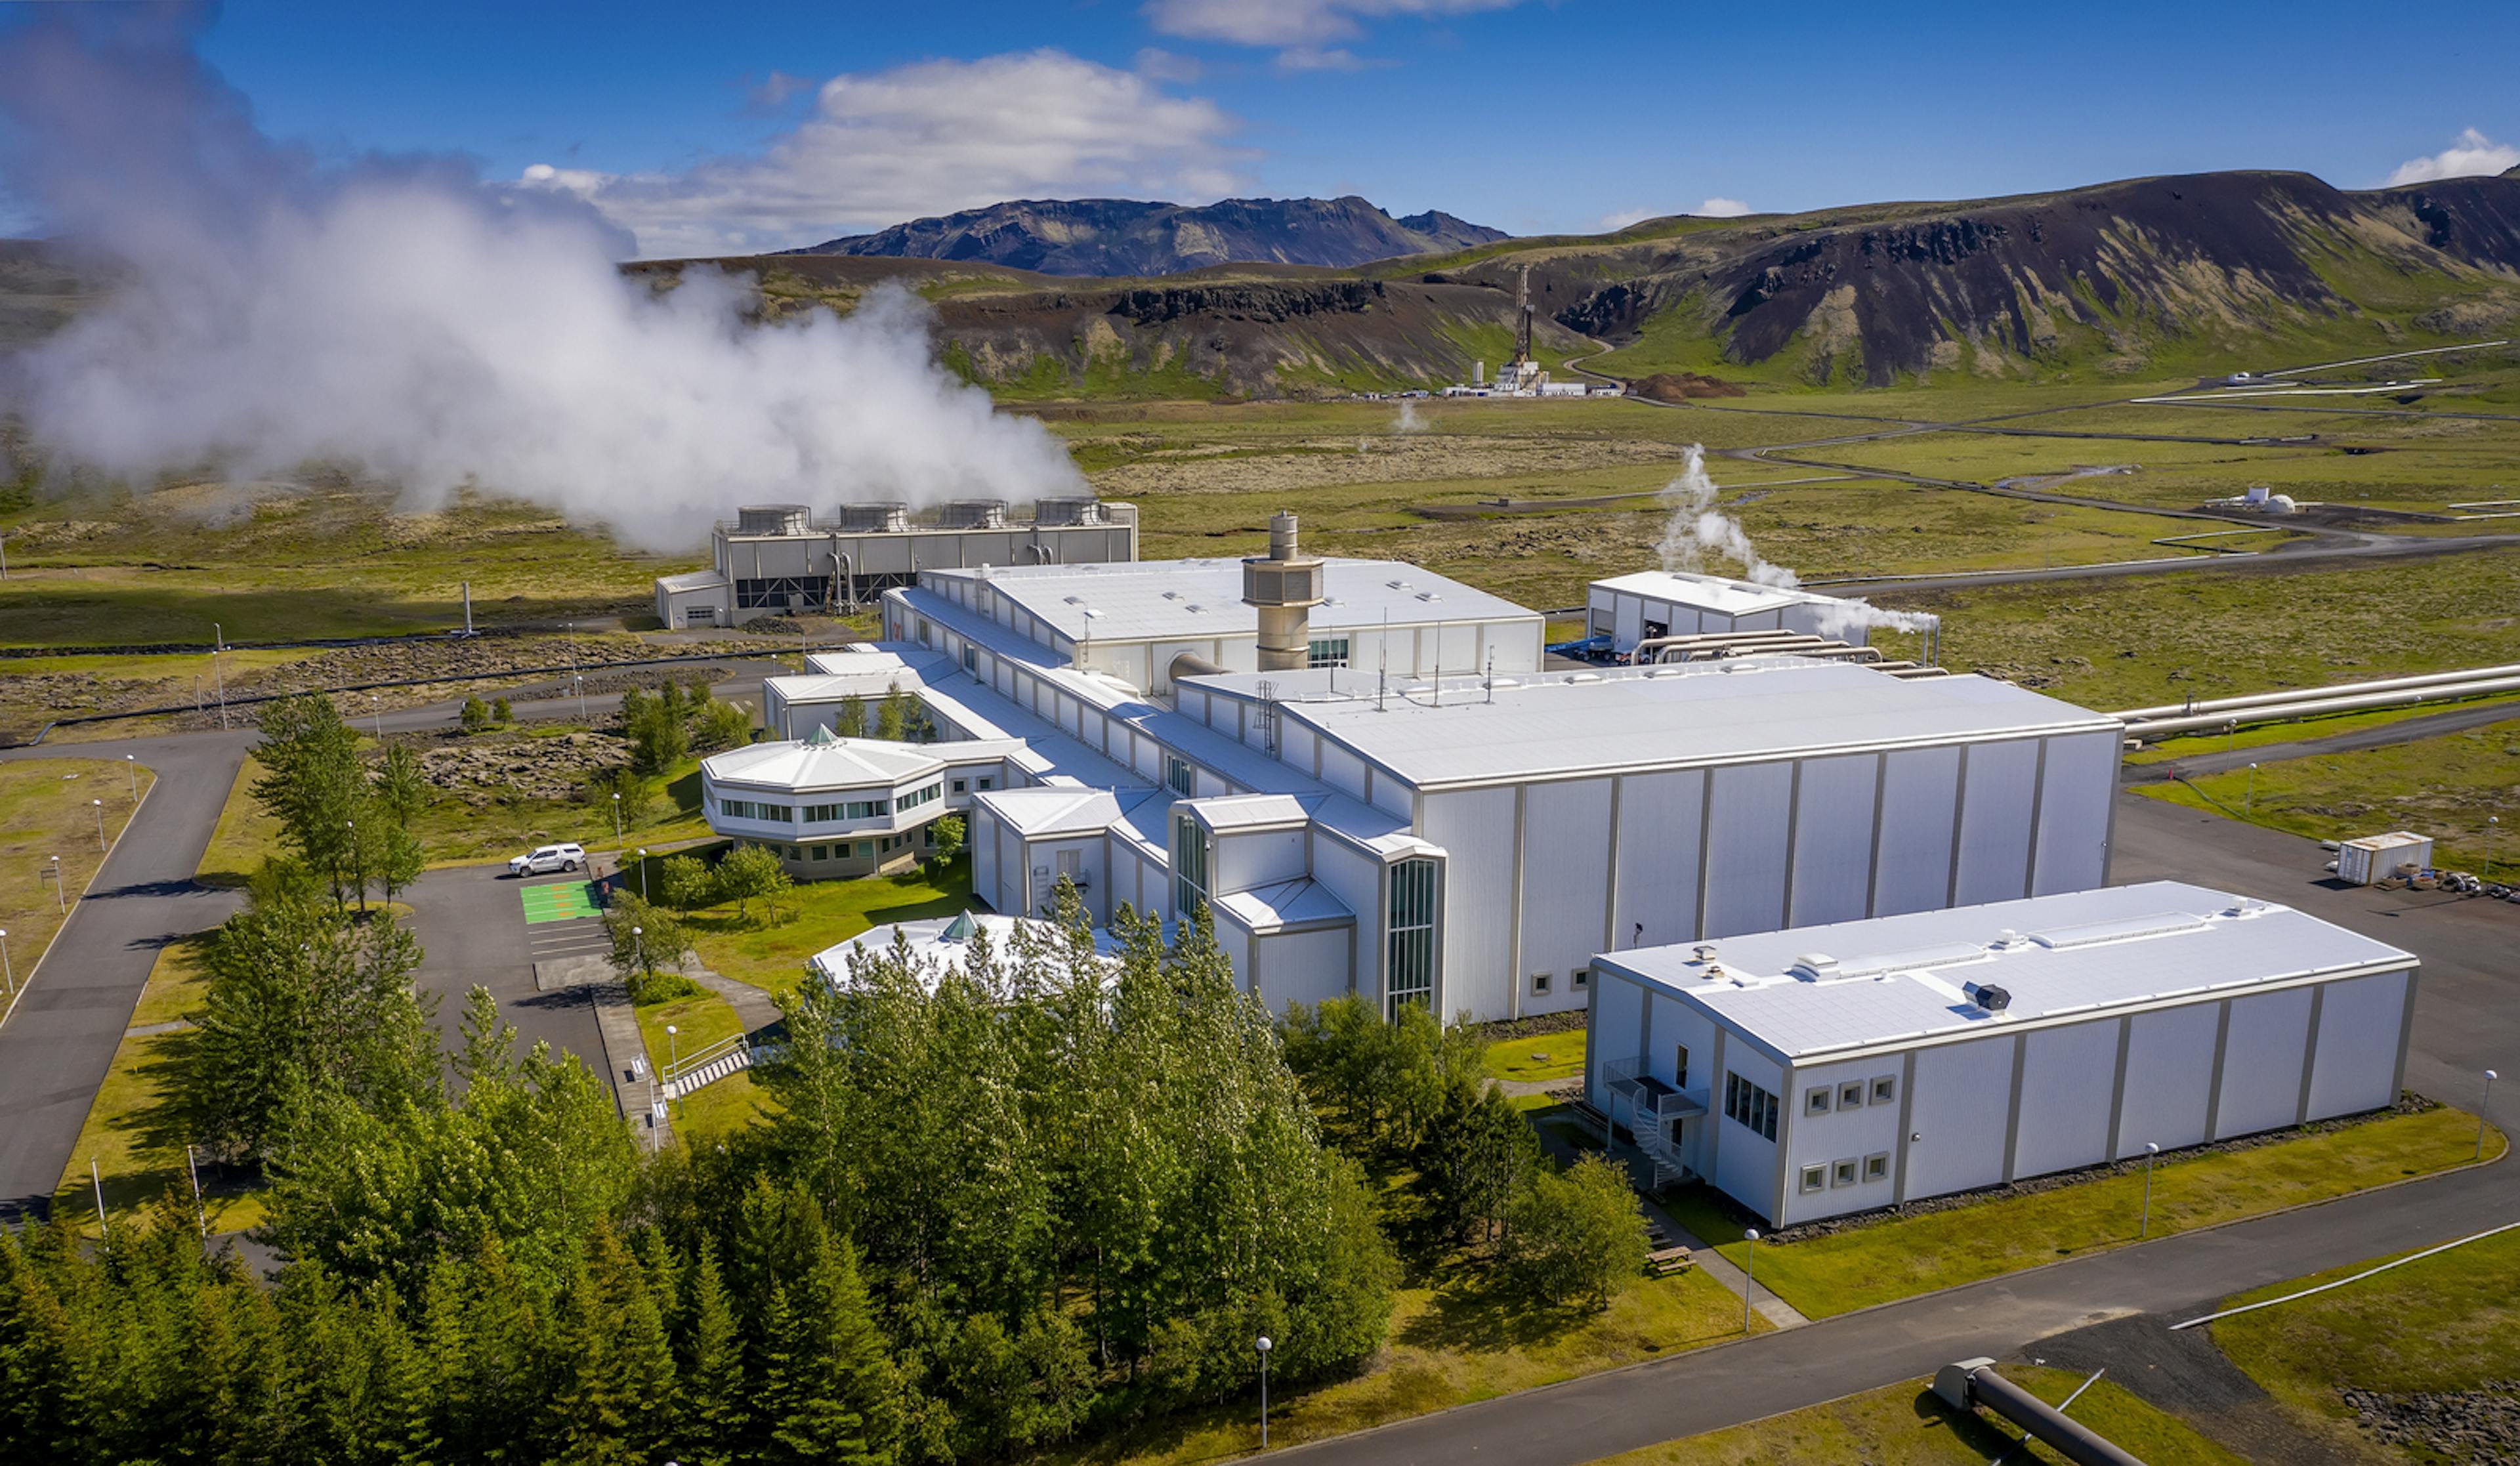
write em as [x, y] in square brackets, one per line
[1367, 825]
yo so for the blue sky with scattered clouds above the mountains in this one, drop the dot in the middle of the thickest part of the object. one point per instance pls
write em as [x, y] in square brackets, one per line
[717, 130]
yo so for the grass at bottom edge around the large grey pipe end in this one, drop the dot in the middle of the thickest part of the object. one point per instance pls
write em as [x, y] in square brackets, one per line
[1911, 1427]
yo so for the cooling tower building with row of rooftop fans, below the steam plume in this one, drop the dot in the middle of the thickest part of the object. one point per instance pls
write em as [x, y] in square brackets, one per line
[780, 558]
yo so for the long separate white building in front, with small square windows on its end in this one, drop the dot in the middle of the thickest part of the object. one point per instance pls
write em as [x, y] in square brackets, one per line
[1864, 1064]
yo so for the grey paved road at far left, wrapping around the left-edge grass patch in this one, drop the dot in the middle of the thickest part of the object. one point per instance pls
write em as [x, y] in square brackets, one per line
[57, 1049]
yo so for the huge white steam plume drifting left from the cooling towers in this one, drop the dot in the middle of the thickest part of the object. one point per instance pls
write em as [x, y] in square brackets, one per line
[402, 316]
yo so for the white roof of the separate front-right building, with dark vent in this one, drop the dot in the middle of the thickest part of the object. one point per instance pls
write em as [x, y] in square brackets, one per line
[1896, 981]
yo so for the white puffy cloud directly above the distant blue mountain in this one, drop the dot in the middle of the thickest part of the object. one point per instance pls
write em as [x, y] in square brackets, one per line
[929, 140]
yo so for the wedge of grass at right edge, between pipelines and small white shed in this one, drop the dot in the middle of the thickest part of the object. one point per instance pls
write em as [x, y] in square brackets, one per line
[2443, 787]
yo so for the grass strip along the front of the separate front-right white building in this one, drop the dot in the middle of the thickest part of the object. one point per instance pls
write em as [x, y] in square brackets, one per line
[1909, 1256]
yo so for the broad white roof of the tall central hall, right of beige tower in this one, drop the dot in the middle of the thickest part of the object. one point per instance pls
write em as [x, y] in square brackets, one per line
[1622, 719]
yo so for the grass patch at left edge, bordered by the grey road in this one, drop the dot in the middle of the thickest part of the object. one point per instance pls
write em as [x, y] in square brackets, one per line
[47, 812]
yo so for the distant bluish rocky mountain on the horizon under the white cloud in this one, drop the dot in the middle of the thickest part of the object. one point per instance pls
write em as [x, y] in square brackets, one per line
[1133, 238]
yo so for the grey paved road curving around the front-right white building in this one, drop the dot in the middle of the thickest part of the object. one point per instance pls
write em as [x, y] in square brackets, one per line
[2466, 1021]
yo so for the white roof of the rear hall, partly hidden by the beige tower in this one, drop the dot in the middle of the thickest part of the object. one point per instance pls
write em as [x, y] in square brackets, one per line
[1203, 598]
